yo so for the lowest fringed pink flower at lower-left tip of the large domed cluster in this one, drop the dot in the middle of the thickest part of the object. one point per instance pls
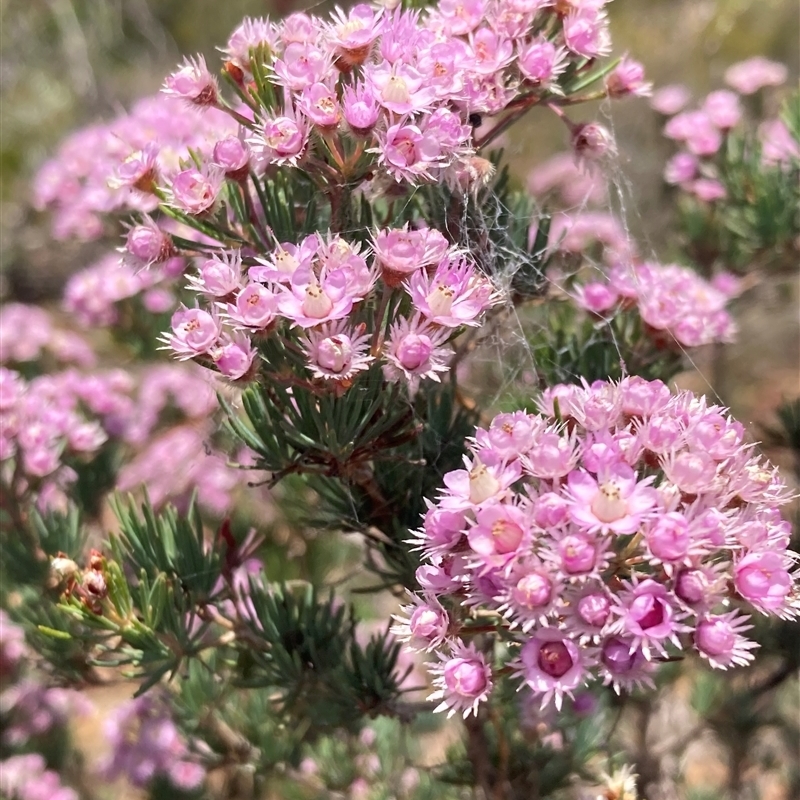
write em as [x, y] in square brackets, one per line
[462, 681]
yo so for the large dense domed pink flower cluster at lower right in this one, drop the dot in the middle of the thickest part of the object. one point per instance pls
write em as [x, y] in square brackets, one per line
[617, 527]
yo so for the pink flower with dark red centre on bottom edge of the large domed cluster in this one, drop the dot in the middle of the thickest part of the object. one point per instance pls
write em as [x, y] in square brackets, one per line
[551, 665]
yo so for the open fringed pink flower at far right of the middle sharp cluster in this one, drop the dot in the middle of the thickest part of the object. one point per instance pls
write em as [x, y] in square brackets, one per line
[454, 295]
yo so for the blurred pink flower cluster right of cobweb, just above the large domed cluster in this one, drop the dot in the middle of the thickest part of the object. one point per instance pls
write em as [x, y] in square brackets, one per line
[677, 306]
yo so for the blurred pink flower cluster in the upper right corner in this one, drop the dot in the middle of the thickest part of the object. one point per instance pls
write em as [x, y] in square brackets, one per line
[703, 130]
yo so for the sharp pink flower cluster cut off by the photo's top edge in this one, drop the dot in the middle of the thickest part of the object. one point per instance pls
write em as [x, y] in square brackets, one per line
[400, 86]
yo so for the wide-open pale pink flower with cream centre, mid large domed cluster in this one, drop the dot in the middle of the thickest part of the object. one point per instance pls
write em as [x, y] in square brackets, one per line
[615, 501]
